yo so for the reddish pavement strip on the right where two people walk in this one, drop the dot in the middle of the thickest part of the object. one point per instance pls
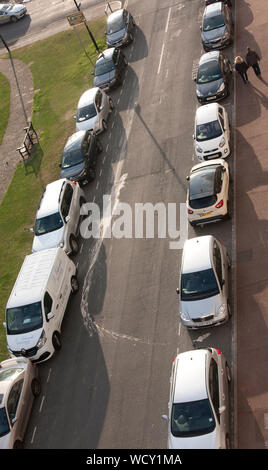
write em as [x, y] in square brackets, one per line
[252, 231]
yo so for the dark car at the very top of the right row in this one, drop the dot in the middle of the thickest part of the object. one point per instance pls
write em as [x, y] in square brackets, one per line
[217, 27]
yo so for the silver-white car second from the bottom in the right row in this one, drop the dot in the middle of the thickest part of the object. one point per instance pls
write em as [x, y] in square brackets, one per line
[203, 283]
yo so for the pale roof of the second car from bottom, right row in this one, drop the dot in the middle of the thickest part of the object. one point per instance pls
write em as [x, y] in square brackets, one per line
[196, 254]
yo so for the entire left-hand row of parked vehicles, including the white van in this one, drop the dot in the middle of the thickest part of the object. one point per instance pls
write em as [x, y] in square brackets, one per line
[48, 276]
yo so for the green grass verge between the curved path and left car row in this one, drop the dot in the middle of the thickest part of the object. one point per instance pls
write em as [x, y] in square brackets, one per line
[61, 73]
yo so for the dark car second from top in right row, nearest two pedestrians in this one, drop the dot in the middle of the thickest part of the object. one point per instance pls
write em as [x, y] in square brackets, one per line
[213, 77]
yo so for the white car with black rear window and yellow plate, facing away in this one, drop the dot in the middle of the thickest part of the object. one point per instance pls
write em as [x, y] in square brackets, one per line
[208, 192]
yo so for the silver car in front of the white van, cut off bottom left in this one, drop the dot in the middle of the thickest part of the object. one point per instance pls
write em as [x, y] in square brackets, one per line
[19, 385]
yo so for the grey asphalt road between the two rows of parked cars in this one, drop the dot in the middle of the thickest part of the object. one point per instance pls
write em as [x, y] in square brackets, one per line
[109, 384]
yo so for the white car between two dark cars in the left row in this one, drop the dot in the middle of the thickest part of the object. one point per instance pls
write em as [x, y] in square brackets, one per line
[93, 110]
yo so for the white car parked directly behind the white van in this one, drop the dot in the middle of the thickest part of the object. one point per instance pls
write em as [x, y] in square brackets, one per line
[58, 217]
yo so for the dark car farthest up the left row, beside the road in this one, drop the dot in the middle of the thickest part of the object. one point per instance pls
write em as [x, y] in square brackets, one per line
[120, 28]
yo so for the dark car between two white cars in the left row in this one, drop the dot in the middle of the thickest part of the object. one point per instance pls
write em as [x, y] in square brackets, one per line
[80, 156]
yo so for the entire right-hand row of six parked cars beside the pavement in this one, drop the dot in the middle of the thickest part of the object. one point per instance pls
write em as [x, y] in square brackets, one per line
[199, 386]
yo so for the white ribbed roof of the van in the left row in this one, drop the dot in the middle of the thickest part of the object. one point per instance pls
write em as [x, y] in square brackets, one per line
[32, 278]
